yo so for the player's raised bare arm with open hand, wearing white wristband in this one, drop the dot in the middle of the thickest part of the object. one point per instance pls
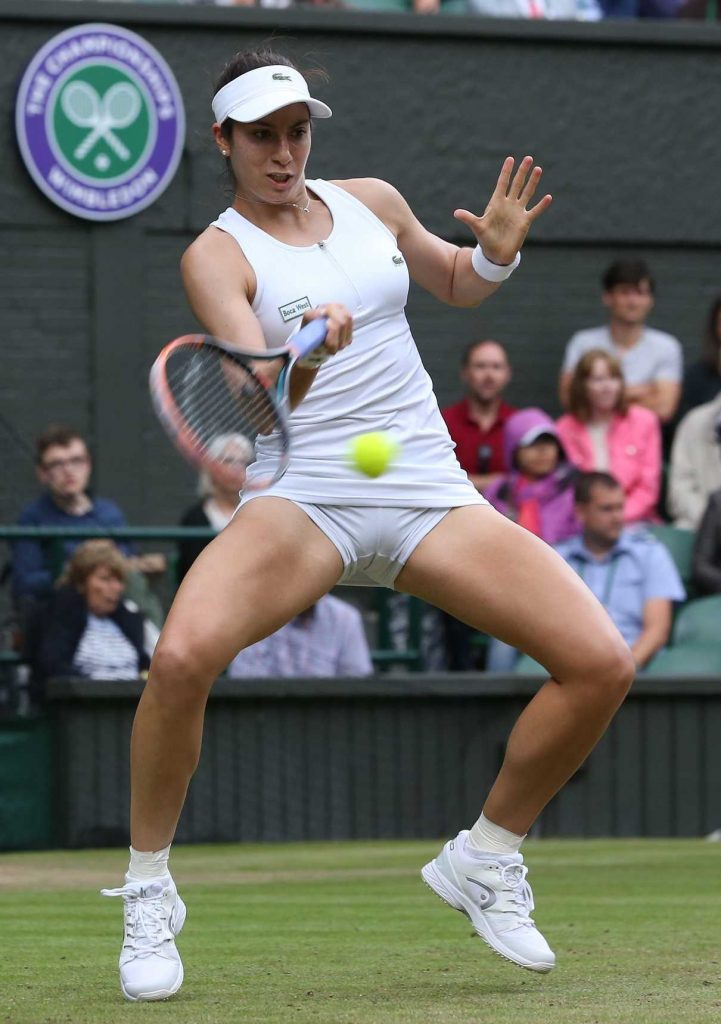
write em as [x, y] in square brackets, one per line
[441, 268]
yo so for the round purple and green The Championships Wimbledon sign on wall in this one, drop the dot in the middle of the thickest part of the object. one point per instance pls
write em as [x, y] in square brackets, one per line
[101, 122]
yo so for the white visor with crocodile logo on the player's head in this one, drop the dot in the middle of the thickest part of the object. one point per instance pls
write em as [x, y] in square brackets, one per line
[259, 93]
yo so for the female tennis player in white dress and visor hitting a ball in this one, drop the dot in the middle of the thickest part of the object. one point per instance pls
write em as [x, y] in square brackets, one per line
[288, 250]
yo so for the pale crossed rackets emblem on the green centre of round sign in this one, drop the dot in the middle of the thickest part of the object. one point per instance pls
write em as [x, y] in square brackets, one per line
[84, 108]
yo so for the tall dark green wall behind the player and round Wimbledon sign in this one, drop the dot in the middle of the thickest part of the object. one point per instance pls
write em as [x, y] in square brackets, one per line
[624, 118]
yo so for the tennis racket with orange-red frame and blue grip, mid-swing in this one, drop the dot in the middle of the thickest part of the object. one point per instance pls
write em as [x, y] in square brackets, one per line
[215, 401]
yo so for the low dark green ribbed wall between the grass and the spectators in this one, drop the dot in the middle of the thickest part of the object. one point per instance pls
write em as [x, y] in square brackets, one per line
[394, 757]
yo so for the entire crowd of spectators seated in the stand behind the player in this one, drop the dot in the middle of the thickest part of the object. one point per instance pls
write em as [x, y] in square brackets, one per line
[626, 485]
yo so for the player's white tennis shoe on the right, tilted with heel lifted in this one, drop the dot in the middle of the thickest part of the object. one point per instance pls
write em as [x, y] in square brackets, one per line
[492, 891]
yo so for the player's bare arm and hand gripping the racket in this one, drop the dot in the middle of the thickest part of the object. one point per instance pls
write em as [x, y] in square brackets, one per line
[221, 284]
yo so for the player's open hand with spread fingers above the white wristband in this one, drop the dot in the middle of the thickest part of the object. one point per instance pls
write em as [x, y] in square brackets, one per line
[502, 230]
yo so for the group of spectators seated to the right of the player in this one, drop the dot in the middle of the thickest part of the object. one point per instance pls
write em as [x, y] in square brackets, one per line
[596, 483]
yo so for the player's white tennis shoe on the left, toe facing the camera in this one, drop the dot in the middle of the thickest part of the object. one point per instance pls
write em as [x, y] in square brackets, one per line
[150, 964]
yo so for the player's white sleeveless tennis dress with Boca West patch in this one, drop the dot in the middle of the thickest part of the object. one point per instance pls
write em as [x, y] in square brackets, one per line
[378, 383]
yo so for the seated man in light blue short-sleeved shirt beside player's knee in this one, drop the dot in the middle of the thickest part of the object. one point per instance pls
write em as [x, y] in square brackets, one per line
[631, 574]
